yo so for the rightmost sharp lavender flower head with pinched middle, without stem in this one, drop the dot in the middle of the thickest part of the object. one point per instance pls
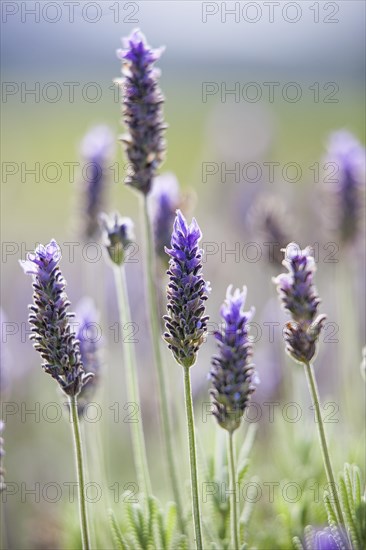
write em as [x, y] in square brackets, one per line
[300, 299]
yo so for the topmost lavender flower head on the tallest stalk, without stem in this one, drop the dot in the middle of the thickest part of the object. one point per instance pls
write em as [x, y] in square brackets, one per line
[142, 108]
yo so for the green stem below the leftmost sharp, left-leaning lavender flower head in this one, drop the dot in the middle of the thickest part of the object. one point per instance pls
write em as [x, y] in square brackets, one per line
[80, 471]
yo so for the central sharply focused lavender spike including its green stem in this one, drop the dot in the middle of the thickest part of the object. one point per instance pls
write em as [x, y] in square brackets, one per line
[186, 325]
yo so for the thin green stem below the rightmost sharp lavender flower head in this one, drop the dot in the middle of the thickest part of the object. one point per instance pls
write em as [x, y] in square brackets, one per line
[323, 441]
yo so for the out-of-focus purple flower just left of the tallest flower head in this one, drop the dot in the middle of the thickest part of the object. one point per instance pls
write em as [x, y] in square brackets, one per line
[96, 148]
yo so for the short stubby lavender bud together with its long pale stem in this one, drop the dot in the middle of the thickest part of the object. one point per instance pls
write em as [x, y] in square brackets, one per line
[118, 235]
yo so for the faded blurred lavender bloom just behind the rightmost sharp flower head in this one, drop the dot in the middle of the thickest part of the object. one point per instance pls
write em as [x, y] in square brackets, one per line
[269, 219]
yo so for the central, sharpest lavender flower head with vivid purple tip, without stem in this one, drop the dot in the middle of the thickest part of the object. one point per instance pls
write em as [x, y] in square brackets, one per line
[186, 324]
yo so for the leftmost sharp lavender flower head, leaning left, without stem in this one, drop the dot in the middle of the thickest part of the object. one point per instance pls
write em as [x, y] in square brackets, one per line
[49, 319]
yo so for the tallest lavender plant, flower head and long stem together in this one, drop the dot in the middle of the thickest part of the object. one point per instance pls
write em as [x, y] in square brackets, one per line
[144, 144]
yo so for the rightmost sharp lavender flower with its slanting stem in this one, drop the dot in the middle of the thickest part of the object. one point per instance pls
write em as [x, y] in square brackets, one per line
[299, 297]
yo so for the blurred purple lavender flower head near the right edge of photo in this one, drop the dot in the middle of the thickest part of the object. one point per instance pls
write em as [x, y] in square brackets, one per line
[347, 156]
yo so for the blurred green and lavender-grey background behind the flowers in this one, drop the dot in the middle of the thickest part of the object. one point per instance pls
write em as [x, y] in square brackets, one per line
[220, 147]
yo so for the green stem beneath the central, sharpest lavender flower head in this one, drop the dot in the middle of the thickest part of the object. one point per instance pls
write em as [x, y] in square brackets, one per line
[192, 458]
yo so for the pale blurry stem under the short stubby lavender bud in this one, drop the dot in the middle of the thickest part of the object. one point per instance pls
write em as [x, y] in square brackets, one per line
[137, 432]
